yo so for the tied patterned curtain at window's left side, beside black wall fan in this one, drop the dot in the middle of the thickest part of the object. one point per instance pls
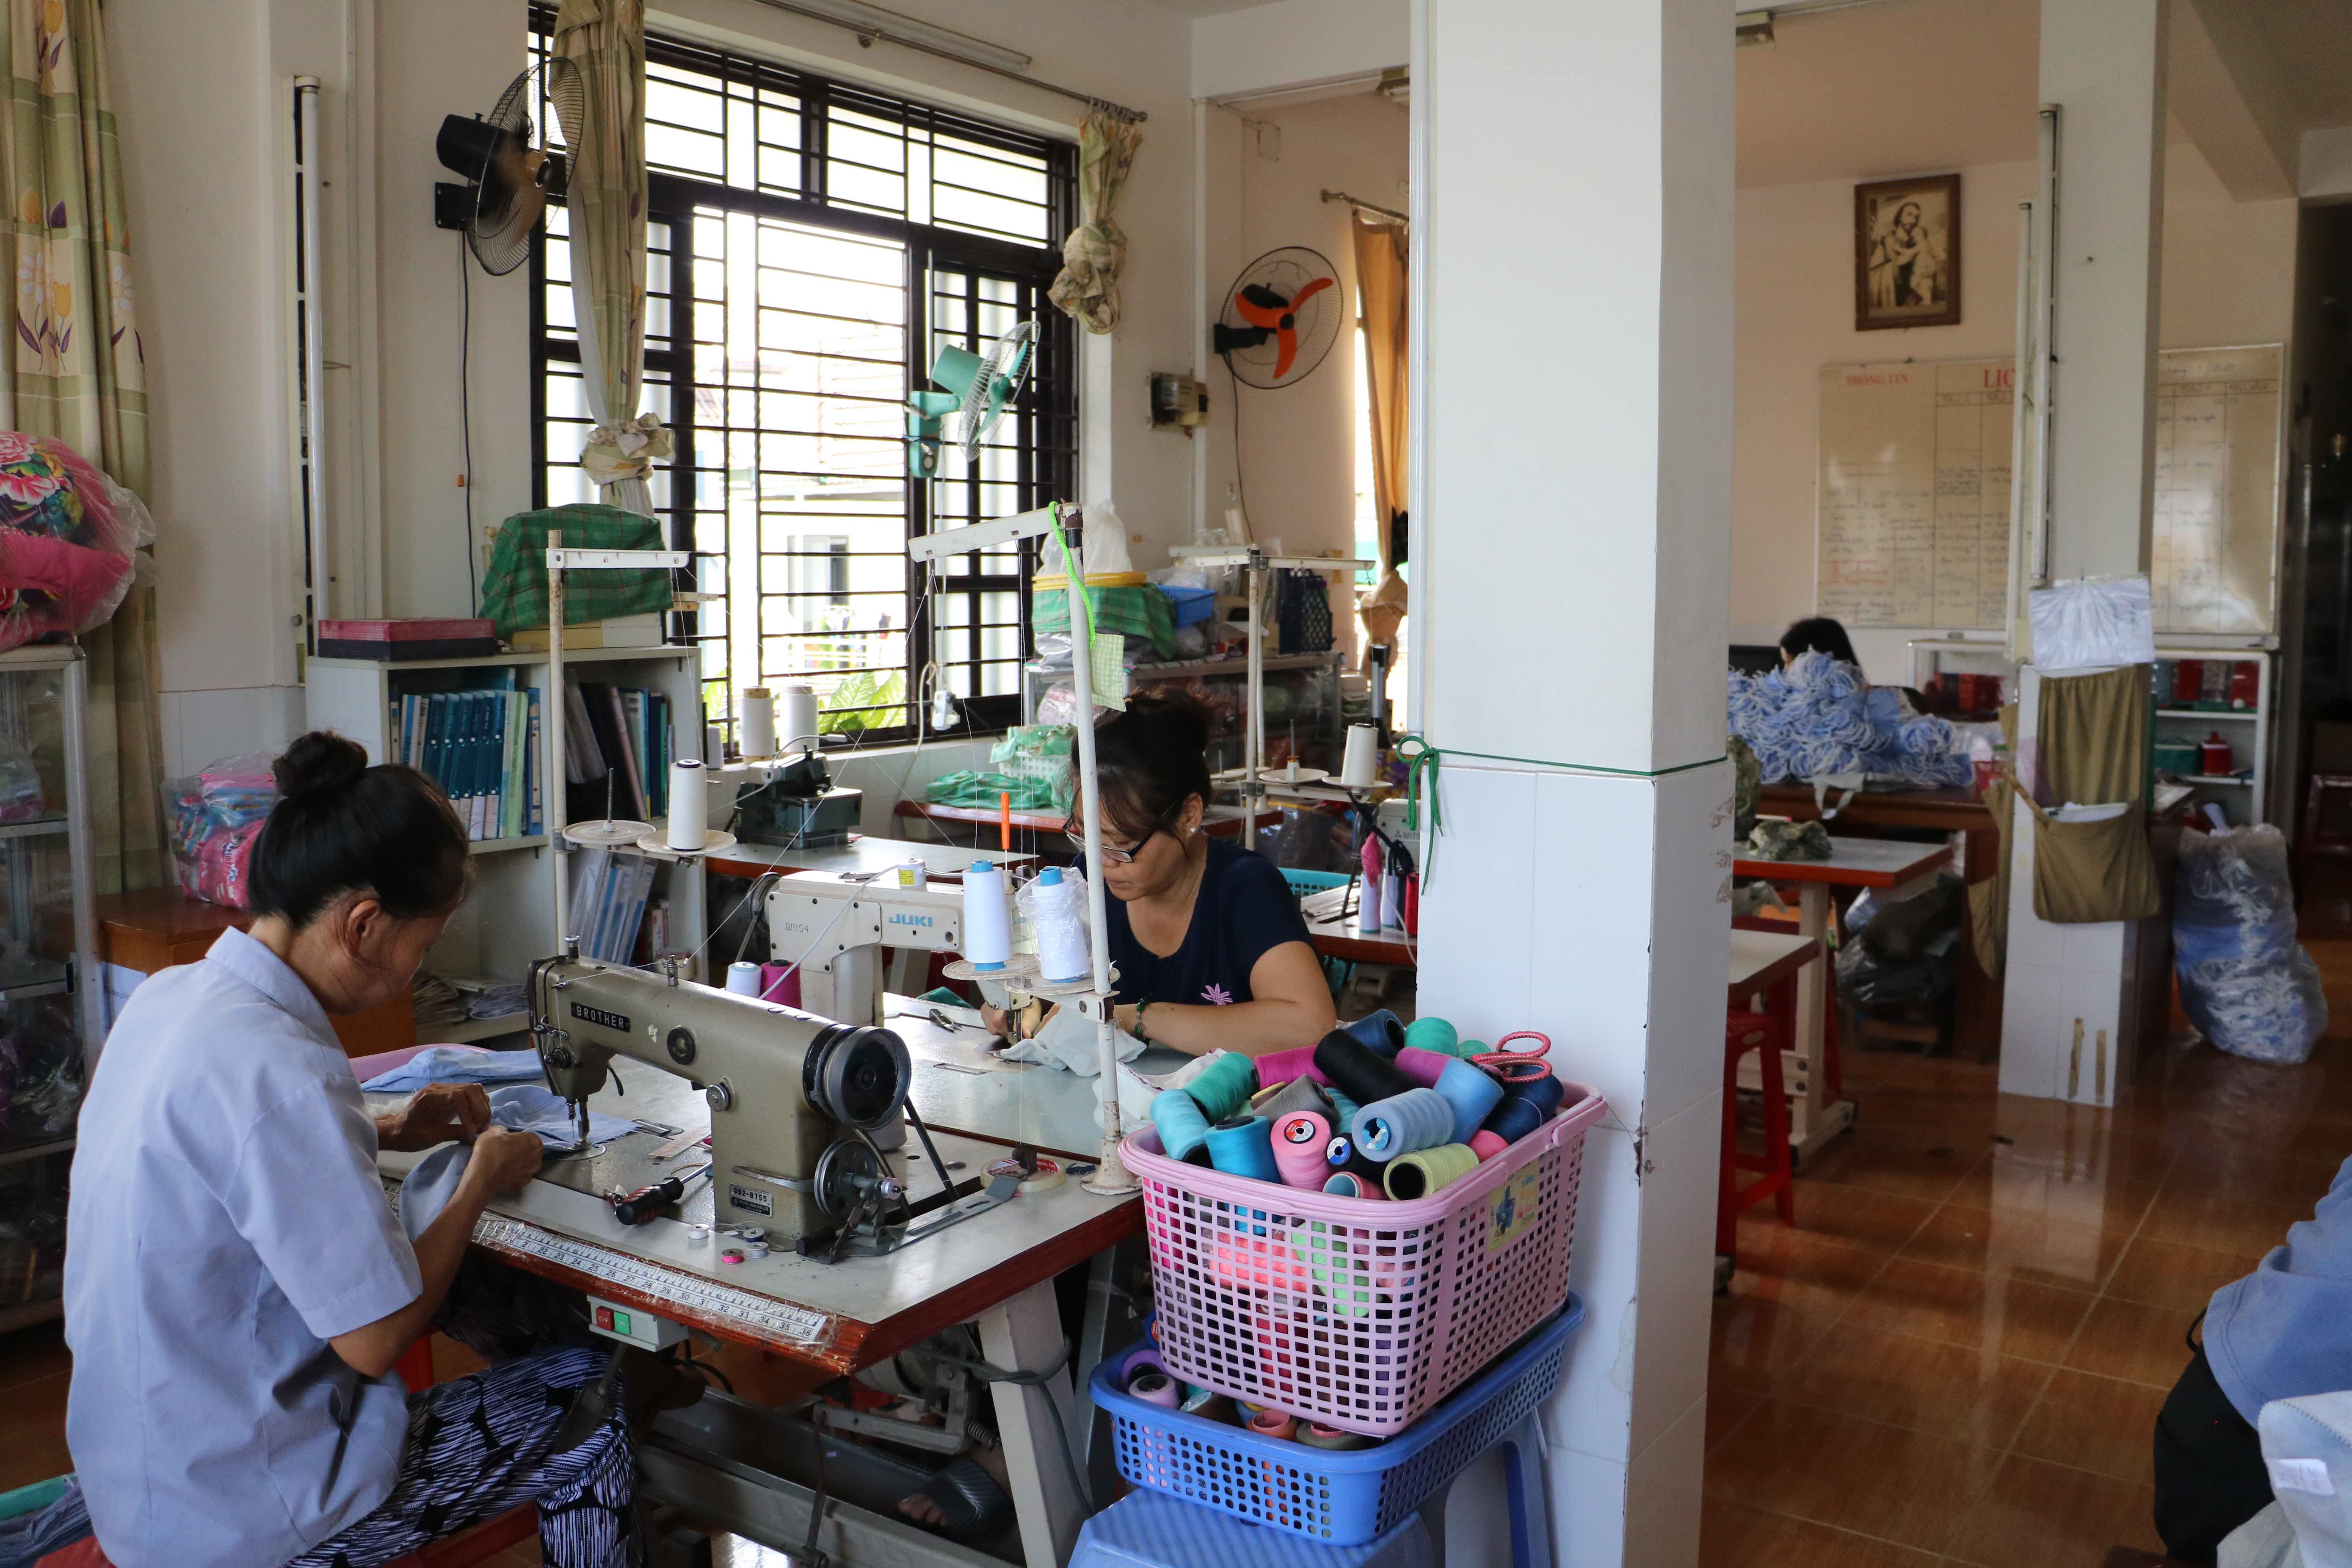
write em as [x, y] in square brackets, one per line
[606, 201]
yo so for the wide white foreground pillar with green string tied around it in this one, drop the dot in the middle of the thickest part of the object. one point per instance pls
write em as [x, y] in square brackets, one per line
[1572, 243]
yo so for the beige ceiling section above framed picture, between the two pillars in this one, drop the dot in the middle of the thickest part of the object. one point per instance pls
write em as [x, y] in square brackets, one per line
[1897, 88]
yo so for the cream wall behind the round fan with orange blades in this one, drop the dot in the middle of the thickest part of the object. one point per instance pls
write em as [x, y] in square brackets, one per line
[1267, 192]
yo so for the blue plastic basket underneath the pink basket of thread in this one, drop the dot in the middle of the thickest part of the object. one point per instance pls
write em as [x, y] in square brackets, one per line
[1342, 1499]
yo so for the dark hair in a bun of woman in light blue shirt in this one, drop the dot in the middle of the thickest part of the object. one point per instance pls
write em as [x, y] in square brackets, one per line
[342, 826]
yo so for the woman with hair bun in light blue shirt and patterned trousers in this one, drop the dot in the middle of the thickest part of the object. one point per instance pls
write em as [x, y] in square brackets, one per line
[239, 1289]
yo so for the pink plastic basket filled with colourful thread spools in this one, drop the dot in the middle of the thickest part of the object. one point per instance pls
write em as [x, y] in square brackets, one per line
[1358, 1313]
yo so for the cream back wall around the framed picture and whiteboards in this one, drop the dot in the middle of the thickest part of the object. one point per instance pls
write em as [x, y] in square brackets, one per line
[2229, 279]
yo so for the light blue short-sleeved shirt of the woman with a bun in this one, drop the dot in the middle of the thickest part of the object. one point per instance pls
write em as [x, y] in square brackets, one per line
[227, 1221]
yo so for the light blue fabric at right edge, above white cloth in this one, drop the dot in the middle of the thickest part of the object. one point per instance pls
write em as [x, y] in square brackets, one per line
[2285, 1332]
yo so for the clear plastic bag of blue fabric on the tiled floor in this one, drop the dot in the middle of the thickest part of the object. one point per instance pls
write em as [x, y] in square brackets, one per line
[2245, 981]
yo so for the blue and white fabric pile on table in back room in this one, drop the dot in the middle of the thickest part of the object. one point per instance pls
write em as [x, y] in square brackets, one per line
[1822, 718]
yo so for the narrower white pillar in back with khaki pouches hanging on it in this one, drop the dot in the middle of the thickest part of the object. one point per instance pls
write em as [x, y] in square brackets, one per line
[2069, 996]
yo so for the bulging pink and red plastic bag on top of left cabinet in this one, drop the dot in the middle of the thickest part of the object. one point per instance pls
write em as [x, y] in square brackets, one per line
[69, 540]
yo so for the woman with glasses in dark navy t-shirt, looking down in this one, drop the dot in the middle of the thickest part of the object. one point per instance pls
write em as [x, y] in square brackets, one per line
[1205, 934]
